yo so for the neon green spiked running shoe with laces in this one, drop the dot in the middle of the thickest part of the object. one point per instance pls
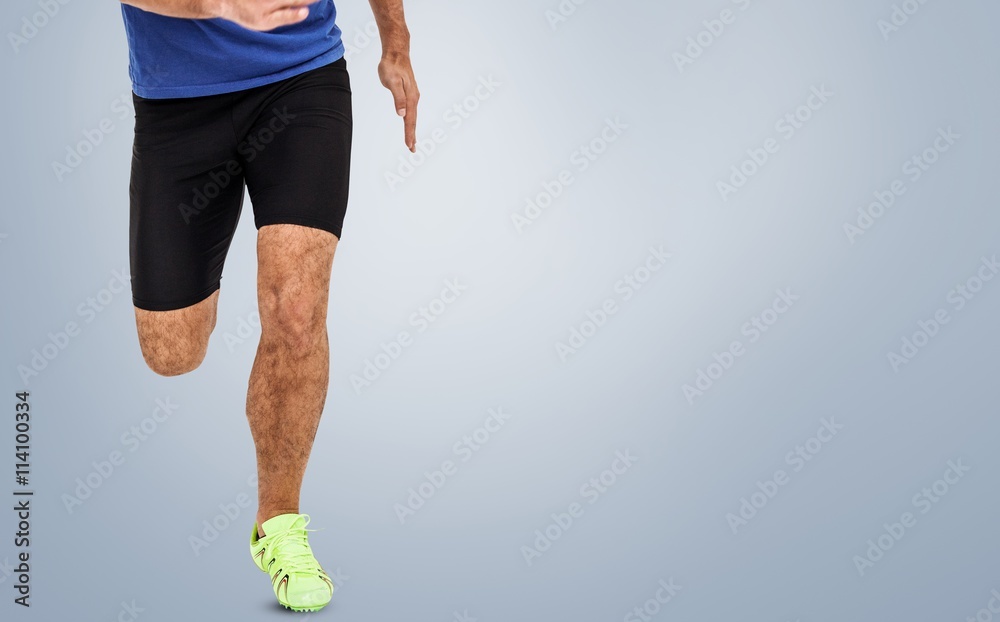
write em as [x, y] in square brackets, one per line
[298, 580]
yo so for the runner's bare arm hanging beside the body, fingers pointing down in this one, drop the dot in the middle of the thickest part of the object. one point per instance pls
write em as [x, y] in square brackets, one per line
[395, 70]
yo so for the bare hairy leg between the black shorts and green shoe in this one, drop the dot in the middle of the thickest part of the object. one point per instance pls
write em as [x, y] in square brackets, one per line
[288, 383]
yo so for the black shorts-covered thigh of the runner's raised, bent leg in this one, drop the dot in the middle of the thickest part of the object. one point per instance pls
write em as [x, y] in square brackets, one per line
[185, 195]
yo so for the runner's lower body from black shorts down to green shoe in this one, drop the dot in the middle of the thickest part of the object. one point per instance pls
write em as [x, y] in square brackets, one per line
[289, 143]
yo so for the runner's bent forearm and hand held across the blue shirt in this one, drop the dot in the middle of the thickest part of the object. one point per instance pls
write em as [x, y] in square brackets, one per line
[252, 14]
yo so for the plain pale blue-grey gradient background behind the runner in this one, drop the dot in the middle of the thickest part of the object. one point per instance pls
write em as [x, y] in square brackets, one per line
[666, 516]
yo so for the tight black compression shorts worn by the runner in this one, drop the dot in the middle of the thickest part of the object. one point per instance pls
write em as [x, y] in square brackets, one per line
[288, 142]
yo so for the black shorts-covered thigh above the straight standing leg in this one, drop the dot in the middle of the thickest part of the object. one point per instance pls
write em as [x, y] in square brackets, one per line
[298, 150]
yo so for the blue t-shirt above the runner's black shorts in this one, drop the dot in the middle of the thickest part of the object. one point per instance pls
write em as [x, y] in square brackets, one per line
[171, 57]
